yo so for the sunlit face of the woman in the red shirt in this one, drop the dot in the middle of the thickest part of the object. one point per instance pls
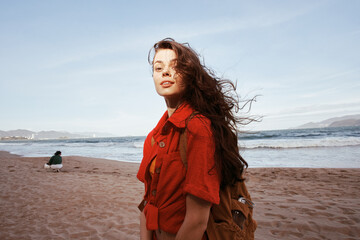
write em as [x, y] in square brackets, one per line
[167, 83]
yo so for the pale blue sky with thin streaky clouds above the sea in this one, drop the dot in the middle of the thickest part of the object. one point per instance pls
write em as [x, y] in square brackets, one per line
[81, 66]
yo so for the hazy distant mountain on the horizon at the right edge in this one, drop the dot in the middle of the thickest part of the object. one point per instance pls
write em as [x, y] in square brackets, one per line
[344, 121]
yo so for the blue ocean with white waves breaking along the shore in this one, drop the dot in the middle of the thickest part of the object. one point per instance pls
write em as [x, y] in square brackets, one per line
[315, 148]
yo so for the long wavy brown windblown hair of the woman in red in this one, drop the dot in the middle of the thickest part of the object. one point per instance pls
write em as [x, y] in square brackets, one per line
[216, 99]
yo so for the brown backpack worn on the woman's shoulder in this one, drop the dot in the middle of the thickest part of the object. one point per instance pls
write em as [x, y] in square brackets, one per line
[232, 218]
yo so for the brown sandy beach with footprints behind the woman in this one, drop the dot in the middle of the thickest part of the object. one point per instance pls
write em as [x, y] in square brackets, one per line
[97, 199]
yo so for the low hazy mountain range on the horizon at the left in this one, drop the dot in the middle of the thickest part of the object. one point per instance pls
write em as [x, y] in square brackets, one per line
[26, 134]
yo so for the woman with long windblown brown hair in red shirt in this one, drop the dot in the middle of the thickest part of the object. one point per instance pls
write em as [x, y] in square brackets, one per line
[178, 198]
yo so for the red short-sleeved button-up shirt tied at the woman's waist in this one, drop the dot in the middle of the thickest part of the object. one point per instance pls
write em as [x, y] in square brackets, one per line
[165, 191]
